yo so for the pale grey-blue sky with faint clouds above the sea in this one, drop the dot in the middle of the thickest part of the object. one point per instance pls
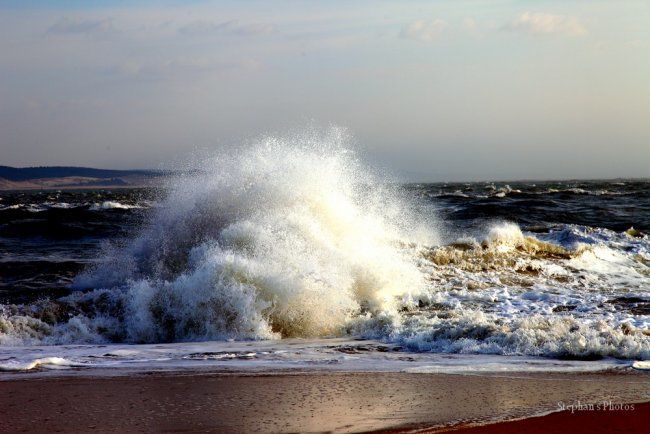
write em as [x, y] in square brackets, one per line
[431, 90]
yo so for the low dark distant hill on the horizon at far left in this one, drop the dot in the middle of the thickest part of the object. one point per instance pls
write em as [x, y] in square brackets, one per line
[46, 177]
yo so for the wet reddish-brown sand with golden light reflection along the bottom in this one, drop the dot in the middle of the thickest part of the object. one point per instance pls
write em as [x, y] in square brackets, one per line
[214, 402]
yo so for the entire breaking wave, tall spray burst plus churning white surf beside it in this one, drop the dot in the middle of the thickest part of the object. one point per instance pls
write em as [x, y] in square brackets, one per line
[294, 237]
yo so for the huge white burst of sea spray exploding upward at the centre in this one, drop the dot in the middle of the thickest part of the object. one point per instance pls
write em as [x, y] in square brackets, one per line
[285, 238]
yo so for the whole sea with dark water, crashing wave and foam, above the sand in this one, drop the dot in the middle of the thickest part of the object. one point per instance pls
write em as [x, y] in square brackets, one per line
[288, 255]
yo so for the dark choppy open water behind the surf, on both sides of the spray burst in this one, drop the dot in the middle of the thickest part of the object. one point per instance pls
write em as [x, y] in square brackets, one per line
[46, 238]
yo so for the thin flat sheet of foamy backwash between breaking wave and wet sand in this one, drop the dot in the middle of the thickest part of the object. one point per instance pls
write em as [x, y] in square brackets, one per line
[323, 354]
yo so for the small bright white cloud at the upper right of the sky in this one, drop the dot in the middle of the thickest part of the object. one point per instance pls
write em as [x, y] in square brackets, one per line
[546, 24]
